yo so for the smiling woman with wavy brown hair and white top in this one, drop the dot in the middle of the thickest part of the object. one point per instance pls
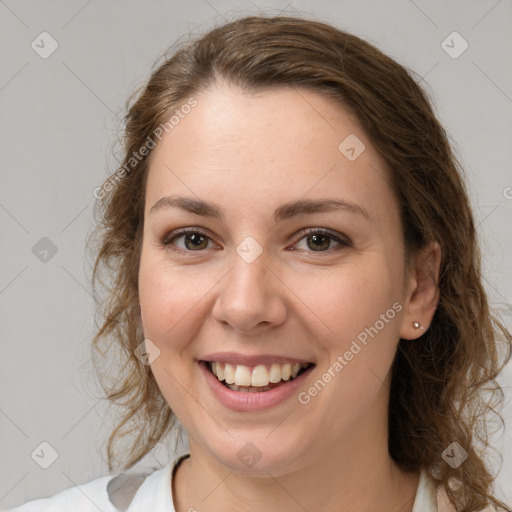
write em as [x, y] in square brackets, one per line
[297, 280]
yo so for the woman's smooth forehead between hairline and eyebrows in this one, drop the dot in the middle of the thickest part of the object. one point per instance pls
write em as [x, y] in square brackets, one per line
[268, 148]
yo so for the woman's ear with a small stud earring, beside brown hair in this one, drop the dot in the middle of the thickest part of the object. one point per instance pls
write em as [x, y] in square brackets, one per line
[421, 291]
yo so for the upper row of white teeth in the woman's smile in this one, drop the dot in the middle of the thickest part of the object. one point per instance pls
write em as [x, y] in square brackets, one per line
[260, 375]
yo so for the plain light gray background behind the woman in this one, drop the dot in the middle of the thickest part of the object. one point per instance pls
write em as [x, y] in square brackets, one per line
[60, 117]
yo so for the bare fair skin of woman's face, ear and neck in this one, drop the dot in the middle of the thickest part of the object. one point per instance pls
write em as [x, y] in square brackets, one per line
[249, 154]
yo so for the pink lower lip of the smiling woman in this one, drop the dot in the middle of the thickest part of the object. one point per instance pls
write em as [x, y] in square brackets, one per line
[241, 401]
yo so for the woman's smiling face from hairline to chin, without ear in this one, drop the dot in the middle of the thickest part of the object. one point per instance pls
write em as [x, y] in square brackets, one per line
[239, 277]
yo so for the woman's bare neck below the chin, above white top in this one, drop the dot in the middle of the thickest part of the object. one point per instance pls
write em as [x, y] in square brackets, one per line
[356, 475]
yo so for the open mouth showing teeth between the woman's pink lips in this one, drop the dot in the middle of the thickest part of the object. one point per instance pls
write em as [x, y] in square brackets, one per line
[256, 378]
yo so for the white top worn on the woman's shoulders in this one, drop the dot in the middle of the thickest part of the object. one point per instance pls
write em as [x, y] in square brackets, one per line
[137, 492]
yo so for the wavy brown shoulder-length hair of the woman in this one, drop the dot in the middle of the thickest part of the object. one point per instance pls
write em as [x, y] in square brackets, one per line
[443, 384]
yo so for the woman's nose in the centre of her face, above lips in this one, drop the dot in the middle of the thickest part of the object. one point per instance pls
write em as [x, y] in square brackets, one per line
[251, 297]
